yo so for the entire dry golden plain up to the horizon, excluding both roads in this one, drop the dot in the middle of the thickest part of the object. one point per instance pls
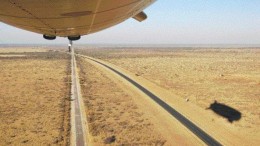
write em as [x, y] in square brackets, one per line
[216, 88]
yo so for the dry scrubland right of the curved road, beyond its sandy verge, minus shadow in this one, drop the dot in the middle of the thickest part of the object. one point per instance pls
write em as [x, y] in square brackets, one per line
[229, 76]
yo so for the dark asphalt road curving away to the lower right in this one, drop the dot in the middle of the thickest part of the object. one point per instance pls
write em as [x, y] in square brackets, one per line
[207, 139]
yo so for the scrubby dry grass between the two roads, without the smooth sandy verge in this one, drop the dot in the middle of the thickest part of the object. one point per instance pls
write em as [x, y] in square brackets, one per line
[113, 117]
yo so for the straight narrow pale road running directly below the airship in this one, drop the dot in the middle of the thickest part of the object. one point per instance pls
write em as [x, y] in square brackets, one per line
[78, 127]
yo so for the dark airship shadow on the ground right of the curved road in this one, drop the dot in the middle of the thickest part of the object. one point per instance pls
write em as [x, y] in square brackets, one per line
[225, 111]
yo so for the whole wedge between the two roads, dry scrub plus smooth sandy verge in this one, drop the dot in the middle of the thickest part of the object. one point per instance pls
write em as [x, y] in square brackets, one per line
[114, 110]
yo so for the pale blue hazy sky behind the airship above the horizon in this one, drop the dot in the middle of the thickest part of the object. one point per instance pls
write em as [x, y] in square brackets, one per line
[171, 22]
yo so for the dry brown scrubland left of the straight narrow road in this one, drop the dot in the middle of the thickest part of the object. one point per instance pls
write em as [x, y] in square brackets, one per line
[34, 93]
